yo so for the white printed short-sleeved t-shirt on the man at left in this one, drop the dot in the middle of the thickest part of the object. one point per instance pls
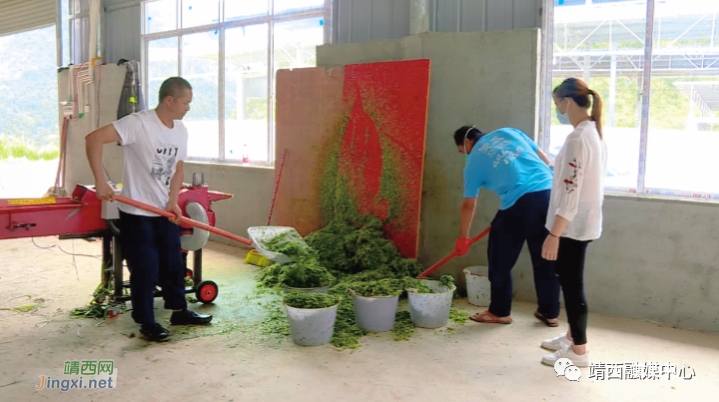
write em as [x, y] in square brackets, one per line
[152, 151]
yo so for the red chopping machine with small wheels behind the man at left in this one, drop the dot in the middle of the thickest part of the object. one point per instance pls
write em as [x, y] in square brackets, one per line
[84, 216]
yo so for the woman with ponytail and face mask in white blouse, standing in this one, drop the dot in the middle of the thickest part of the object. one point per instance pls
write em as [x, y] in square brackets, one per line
[575, 211]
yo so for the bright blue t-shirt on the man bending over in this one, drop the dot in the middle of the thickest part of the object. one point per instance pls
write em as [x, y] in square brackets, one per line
[505, 161]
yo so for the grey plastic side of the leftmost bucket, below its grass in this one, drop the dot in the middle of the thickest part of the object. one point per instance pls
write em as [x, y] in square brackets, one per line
[311, 327]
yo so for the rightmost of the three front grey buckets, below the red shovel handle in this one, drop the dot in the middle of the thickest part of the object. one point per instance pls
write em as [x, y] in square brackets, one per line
[431, 310]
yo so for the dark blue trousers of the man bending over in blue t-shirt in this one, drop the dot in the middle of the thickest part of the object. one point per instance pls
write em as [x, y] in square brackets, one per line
[524, 221]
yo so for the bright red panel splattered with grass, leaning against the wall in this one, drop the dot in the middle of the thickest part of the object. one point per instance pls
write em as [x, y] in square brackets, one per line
[382, 150]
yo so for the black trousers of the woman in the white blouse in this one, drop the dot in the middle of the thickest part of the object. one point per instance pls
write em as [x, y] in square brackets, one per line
[570, 270]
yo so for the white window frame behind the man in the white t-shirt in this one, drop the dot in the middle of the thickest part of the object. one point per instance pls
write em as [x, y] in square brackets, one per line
[324, 12]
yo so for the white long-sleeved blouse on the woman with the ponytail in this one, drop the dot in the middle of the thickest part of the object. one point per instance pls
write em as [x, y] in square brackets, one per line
[578, 186]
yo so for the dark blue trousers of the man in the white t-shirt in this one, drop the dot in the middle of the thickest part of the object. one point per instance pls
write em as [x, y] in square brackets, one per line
[151, 247]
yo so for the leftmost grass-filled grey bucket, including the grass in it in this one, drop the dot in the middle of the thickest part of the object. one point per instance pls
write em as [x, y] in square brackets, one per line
[311, 316]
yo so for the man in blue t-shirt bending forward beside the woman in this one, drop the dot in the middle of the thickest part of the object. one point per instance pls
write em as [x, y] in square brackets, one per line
[509, 163]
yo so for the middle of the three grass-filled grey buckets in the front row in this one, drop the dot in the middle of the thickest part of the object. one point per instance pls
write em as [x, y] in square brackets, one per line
[375, 303]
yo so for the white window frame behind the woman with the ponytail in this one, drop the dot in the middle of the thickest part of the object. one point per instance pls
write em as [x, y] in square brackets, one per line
[546, 106]
